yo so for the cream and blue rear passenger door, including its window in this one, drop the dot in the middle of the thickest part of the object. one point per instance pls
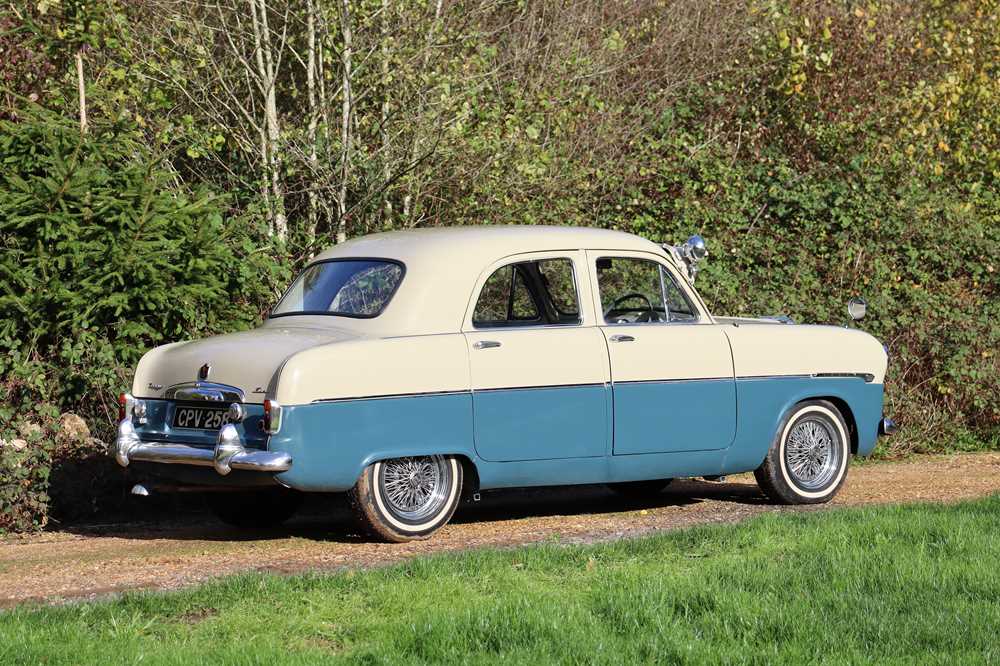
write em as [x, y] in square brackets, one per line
[540, 373]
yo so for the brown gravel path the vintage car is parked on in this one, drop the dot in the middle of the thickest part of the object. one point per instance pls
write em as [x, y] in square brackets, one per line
[94, 561]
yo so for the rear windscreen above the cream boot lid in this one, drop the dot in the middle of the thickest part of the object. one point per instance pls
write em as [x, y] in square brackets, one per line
[348, 288]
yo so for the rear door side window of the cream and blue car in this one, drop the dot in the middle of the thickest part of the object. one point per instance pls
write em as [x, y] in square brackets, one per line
[526, 293]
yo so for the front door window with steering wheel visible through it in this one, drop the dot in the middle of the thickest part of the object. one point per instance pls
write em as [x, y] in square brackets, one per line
[640, 291]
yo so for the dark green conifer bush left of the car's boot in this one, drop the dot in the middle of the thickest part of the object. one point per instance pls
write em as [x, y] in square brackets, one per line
[103, 258]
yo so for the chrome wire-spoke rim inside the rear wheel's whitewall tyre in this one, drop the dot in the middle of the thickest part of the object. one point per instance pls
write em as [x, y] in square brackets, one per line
[415, 488]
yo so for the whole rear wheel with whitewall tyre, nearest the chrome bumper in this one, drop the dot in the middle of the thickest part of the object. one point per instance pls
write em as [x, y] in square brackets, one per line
[405, 499]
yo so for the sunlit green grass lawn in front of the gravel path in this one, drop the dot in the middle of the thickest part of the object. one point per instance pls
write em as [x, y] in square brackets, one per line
[916, 584]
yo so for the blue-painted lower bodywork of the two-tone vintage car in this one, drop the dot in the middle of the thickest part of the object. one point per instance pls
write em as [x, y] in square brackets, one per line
[332, 442]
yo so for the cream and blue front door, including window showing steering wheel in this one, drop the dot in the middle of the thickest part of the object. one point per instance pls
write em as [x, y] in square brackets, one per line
[671, 368]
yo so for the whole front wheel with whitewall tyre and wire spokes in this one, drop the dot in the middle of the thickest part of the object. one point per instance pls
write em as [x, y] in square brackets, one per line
[808, 459]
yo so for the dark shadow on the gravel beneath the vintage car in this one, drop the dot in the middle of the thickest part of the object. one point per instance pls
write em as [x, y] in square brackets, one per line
[328, 517]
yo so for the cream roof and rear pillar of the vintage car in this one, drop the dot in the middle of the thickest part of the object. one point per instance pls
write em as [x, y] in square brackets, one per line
[443, 265]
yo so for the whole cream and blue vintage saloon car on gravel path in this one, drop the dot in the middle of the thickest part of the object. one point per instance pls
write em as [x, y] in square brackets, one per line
[411, 369]
